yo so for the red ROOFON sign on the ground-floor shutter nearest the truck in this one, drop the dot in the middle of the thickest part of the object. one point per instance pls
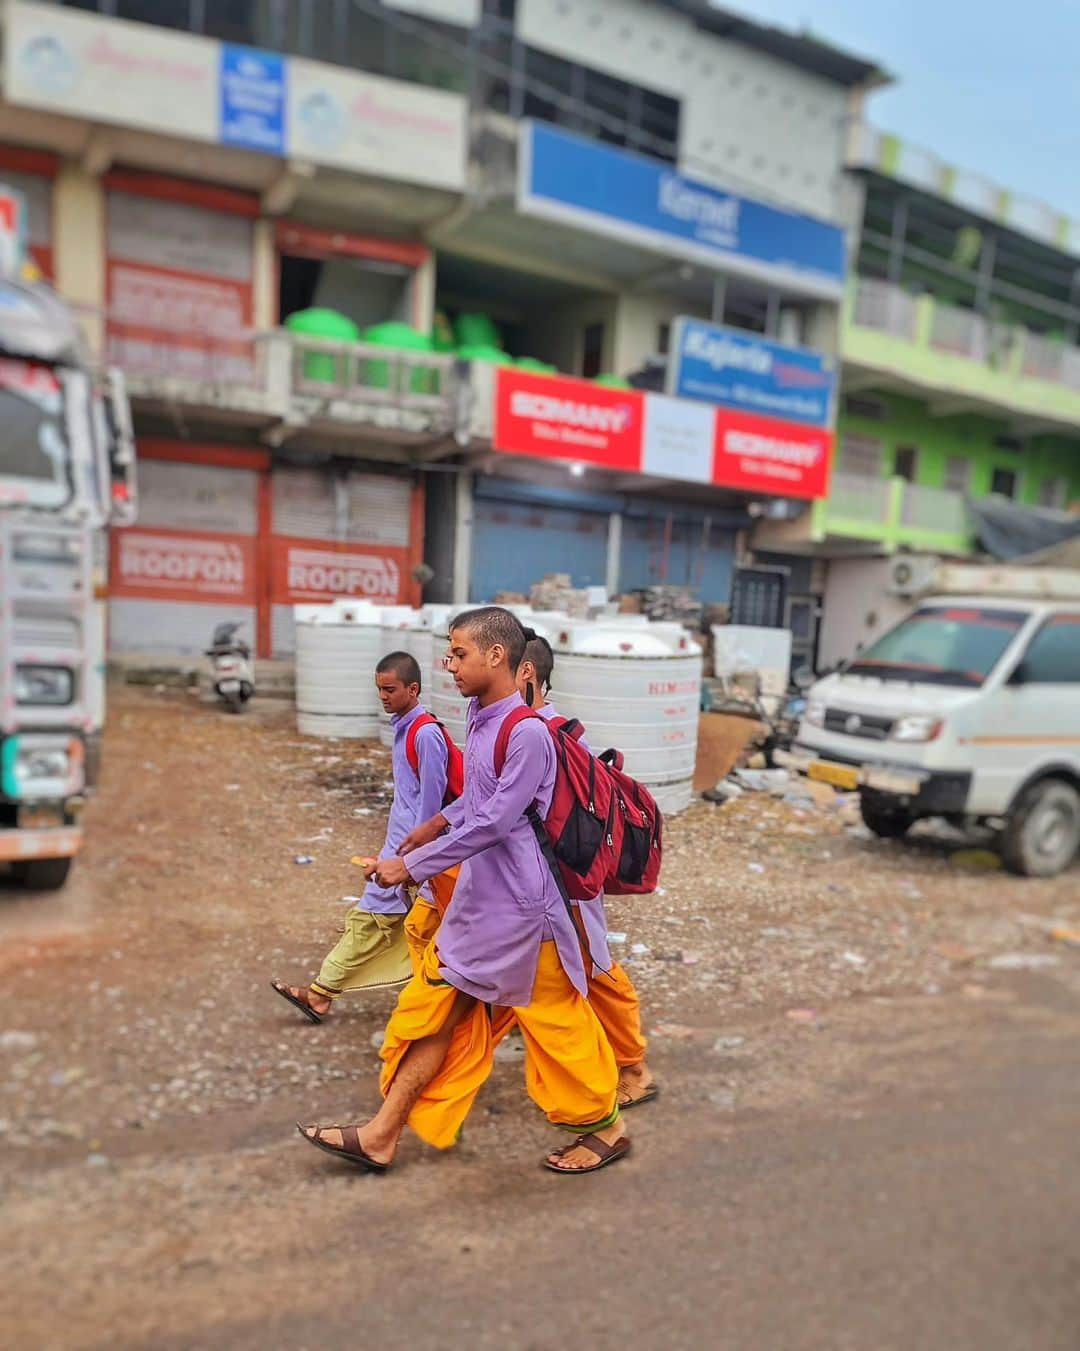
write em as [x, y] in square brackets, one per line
[183, 567]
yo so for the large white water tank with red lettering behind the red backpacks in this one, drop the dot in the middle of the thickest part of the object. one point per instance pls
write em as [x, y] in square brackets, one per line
[639, 688]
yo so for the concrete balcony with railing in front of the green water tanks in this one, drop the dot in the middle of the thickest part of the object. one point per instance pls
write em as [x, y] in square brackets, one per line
[286, 383]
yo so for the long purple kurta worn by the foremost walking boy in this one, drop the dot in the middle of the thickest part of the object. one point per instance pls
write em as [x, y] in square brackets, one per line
[506, 902]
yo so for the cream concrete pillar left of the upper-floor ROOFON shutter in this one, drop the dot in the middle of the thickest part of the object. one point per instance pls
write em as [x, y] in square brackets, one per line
[79, 248]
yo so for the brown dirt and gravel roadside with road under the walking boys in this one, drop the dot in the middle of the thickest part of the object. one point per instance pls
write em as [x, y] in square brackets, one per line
[867, 1138]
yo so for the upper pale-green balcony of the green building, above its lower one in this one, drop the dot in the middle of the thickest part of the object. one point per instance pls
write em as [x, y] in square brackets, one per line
[959, 360]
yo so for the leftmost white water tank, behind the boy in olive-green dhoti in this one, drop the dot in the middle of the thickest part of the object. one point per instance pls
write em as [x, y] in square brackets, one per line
[337, 651]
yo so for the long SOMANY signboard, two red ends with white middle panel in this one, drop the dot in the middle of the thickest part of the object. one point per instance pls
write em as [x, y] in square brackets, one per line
[556, 418]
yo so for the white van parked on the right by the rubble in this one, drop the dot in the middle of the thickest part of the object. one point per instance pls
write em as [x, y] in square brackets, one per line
[968, 709]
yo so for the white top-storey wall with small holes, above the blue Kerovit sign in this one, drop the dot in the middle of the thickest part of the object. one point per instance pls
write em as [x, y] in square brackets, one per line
[751, 124]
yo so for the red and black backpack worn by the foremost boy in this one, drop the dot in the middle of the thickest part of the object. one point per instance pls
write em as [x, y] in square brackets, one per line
[604, 830]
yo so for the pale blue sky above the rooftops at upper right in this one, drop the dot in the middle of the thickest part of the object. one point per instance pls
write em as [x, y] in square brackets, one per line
[991, 86]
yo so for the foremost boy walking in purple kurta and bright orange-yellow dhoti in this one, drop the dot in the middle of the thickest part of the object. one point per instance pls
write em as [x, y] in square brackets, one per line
[508, 941]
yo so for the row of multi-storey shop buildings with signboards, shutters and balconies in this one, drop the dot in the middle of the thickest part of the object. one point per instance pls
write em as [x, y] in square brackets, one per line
[670, 290]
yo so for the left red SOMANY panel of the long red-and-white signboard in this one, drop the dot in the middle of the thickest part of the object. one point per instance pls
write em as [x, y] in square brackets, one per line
[556, 418]
